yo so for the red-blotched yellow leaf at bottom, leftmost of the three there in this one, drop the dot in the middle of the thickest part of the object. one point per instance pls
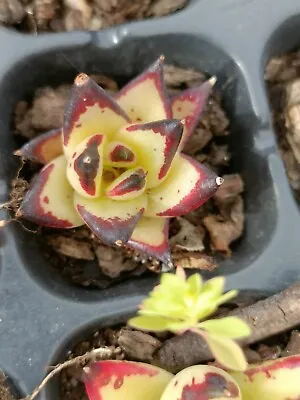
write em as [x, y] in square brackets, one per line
[124, 380]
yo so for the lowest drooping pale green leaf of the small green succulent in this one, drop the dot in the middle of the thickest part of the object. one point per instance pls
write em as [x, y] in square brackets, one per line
[227, 352]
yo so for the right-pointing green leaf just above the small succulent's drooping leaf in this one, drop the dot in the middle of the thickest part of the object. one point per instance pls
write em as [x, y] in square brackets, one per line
[228, 327]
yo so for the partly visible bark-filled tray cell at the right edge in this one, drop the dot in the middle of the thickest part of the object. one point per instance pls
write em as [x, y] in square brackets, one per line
[284, 40]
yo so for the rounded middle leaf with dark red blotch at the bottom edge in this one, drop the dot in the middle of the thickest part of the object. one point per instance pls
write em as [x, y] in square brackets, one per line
[202, 382]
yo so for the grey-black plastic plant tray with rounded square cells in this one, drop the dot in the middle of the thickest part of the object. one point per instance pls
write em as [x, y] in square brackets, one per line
[40, 315]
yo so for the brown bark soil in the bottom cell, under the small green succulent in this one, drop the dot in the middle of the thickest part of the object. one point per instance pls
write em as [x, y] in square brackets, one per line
[139, 346]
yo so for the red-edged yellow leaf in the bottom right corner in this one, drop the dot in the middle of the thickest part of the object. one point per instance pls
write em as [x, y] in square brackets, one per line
[271, 380]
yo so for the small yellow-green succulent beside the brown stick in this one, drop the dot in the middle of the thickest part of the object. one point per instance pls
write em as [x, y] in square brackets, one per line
[178, 304]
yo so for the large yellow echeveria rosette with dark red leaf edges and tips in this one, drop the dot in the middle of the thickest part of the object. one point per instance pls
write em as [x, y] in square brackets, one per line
[116, 164]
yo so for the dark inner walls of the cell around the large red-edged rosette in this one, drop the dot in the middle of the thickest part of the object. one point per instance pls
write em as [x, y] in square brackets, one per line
[124, 59]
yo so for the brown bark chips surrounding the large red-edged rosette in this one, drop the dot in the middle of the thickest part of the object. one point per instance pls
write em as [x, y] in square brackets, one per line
[195, 238]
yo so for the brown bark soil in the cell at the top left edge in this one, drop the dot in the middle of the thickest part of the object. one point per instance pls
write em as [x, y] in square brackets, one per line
[38, 16]
